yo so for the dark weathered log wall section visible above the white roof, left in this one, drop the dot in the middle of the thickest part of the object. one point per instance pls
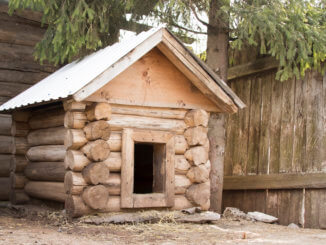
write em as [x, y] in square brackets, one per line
[18, 69]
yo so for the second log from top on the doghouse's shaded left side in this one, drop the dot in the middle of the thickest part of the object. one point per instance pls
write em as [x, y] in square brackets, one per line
[48, 136]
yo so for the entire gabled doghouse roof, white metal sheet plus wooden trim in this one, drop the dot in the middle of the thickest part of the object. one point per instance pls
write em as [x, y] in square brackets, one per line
[81, 78]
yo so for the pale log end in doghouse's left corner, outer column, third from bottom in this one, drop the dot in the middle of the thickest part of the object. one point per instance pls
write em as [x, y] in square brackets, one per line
[76, 160]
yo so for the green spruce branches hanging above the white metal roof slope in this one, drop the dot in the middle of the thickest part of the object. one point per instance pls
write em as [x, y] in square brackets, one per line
[78, 27]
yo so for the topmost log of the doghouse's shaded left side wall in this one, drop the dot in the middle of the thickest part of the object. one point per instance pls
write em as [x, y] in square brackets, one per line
[47, 119]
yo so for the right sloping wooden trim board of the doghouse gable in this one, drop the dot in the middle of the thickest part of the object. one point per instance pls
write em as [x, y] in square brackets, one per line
[177, 54]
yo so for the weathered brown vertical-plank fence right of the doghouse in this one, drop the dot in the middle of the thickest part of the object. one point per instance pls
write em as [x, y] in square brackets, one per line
[281, 132]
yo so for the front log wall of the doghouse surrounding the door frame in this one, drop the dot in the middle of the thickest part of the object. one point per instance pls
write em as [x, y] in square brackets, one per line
[93, 158]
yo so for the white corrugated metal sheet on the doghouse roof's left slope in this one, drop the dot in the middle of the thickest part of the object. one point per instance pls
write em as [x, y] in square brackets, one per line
[72, 77]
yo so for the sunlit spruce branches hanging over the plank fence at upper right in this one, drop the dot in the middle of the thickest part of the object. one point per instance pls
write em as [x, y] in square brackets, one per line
[293, 31]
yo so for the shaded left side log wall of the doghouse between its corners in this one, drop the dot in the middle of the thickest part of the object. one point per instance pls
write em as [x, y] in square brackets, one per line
[45, 170]
